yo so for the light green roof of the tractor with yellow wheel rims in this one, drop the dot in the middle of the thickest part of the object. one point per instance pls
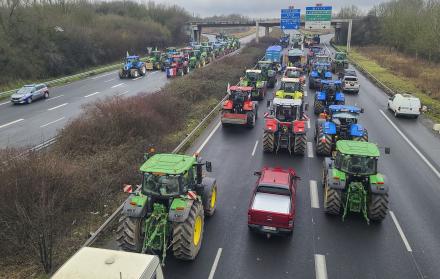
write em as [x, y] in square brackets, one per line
[168, 163]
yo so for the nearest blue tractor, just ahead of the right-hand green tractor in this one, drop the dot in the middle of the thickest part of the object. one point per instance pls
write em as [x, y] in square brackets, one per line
[341, 123]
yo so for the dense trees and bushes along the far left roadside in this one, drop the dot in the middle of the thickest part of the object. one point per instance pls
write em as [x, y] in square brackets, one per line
[47, 38]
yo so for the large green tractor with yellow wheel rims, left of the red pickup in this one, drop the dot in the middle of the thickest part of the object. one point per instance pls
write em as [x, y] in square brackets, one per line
[169, 209]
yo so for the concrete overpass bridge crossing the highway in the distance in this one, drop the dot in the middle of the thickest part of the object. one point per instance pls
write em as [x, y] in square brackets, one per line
[196, 27]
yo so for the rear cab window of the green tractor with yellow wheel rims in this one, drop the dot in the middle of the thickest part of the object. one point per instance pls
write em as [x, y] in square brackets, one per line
[163, 185]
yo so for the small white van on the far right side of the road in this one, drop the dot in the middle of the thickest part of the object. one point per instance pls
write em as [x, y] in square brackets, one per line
[404, 105]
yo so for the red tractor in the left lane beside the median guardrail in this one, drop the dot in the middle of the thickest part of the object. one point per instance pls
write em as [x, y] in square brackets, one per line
[239, 109]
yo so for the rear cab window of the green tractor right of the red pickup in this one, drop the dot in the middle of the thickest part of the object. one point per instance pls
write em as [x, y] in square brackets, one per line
[358, 165]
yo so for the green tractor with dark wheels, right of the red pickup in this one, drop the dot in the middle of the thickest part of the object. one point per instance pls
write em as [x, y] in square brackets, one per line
[351, 181]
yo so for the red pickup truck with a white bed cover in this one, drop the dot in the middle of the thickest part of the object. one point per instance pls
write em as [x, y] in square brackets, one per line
[272, 206]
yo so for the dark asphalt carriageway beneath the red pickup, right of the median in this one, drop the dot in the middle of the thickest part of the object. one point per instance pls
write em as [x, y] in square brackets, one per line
[404, 245]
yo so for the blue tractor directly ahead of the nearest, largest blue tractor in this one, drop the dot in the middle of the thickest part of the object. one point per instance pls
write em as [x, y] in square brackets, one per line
[330, 93]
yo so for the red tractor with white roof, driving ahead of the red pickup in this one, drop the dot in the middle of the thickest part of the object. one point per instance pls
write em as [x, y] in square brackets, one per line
[285, 126]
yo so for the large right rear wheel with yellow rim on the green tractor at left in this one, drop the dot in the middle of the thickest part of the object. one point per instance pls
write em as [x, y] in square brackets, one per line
[188, 235]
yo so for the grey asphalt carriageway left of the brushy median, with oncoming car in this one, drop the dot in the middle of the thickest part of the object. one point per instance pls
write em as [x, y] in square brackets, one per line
[29, 125]
